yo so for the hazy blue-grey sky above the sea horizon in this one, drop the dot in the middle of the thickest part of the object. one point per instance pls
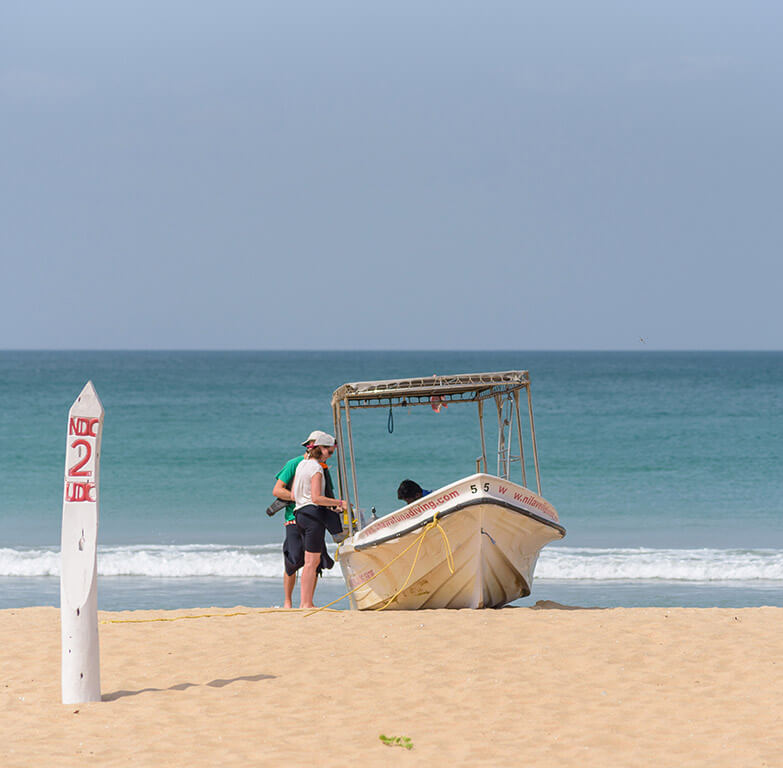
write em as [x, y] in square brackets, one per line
[407, 175]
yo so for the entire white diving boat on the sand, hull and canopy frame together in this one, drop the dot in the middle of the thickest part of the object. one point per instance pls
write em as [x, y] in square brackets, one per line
[473, 543]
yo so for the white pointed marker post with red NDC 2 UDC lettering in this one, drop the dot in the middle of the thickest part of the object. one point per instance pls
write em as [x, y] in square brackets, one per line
[81, 674]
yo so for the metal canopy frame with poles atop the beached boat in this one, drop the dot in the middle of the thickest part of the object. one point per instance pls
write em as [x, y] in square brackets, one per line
[503, 387]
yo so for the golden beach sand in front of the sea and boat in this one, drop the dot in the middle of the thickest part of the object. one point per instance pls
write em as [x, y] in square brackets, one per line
[544, 686]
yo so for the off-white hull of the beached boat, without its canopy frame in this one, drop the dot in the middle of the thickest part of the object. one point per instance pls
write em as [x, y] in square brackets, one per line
[466, 549]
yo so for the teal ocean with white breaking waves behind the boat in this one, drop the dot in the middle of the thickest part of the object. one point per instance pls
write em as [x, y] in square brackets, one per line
[665, 469]
